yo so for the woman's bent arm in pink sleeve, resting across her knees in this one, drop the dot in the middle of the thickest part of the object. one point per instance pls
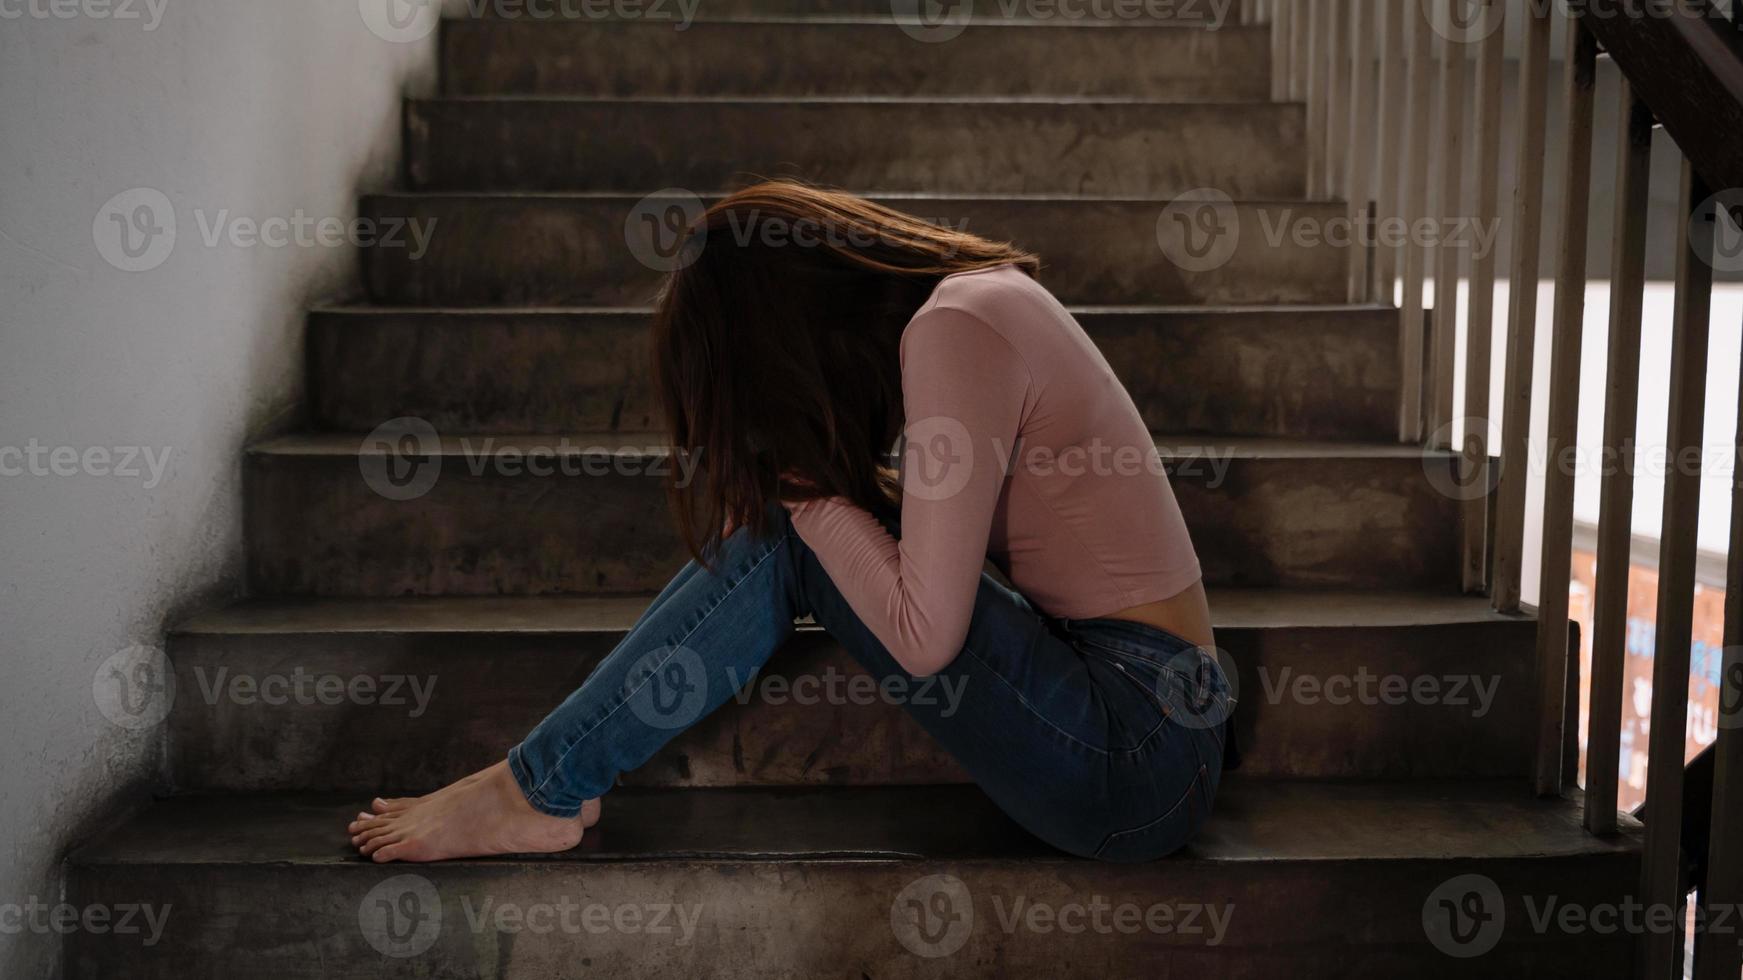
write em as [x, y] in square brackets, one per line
[965, 393]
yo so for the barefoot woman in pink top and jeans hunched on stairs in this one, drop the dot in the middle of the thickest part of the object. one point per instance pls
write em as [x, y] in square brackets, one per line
[806, 334]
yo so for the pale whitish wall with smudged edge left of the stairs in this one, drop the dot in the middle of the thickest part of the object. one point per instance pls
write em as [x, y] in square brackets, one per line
[234, 109]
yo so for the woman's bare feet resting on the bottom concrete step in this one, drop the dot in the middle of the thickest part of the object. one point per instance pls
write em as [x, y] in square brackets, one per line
[478, 817]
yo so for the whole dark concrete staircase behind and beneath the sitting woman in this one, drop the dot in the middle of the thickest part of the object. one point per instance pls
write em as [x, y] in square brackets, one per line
[397, 644]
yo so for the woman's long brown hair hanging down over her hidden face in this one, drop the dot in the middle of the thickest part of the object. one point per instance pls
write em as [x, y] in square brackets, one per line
[777, 350]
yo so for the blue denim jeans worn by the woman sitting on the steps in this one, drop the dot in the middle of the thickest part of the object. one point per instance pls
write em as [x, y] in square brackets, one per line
[1102, 738]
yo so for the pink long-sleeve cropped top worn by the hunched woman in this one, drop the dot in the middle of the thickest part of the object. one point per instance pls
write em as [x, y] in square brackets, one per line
[1021, 447]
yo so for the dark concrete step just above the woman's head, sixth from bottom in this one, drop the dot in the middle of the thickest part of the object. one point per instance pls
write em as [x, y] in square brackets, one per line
[1249, 151]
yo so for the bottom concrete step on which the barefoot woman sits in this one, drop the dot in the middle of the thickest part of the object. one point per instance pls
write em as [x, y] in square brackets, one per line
[1306, 881]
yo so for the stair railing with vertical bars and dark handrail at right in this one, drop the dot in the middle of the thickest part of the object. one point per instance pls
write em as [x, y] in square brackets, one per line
[1380, 139]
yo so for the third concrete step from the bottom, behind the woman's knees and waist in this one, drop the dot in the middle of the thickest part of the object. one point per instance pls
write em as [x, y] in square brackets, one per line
[587, 514]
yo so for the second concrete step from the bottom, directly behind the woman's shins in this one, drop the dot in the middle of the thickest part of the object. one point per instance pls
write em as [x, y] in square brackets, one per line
[449, 684]
